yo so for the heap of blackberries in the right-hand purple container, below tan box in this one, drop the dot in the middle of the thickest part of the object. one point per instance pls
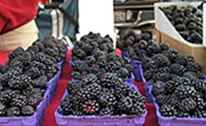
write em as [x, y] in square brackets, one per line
[177, 80]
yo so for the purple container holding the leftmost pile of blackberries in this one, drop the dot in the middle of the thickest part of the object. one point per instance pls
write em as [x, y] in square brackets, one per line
[36, 118]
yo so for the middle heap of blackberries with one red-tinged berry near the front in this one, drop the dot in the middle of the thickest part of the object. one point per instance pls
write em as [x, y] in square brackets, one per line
[98, 87]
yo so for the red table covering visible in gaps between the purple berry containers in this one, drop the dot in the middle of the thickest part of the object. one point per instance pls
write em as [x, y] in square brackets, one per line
[49, 117]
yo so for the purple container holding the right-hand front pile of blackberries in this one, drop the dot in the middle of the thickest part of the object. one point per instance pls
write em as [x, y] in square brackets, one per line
[175, 121]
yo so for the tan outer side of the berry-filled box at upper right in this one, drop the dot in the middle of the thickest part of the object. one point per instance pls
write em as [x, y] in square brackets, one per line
[197, 51]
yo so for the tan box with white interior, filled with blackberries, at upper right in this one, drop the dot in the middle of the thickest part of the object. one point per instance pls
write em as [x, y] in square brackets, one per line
[180, 24]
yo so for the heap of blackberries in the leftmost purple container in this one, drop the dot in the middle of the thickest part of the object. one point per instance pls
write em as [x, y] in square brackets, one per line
[23, 81]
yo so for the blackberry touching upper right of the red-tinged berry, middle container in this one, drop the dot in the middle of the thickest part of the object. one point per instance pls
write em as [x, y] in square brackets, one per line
[107, 99]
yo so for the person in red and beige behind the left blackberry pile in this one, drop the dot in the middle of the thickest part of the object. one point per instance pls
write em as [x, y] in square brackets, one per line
[17, 25]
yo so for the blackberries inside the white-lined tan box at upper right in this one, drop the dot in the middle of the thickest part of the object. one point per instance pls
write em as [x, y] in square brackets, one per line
[188, 22]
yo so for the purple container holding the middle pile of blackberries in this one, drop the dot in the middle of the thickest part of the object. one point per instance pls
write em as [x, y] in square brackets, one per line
[123, 120]
